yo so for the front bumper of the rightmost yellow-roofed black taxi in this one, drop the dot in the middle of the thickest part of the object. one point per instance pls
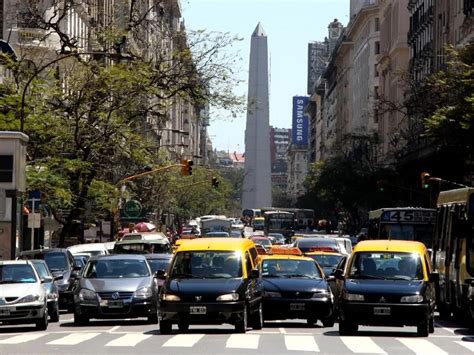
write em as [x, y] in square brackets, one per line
[389, 314]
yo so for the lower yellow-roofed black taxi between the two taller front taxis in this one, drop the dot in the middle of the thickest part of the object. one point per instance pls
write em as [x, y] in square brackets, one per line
[295, 288]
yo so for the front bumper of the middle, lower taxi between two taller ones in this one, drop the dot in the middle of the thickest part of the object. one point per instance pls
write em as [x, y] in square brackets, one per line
[297, 308]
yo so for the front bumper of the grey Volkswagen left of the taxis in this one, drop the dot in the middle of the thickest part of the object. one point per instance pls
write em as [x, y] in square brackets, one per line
[130, 309]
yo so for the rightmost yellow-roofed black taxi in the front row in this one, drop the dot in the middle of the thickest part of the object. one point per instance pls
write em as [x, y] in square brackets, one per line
[387, 283]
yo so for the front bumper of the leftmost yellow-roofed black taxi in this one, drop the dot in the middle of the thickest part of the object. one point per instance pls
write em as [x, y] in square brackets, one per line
[215, 312]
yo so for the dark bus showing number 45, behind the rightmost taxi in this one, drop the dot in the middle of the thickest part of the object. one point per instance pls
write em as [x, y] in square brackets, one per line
[404, 223]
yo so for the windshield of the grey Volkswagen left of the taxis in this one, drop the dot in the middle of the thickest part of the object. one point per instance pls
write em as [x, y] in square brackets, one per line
[116, 268]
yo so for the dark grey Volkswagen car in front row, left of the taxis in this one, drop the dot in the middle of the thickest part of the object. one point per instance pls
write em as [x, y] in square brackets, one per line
[116, 286]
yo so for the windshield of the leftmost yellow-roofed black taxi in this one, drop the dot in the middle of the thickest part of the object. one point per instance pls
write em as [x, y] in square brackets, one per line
[207, 264]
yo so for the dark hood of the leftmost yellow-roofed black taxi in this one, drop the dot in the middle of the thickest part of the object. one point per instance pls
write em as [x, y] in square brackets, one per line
[203, 286]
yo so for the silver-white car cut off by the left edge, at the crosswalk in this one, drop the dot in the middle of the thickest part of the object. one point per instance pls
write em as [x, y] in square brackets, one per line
[23, 297]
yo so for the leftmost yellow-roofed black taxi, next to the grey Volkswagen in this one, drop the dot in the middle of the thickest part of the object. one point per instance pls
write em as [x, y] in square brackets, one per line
[212, 281]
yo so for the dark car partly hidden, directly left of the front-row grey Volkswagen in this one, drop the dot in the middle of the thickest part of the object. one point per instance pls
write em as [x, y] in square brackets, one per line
[61, 263]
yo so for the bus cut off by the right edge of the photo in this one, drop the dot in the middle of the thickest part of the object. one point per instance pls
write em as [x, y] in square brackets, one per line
[453, 251]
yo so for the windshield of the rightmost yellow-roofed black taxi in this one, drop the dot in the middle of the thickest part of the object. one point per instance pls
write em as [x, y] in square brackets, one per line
[386, 265]
